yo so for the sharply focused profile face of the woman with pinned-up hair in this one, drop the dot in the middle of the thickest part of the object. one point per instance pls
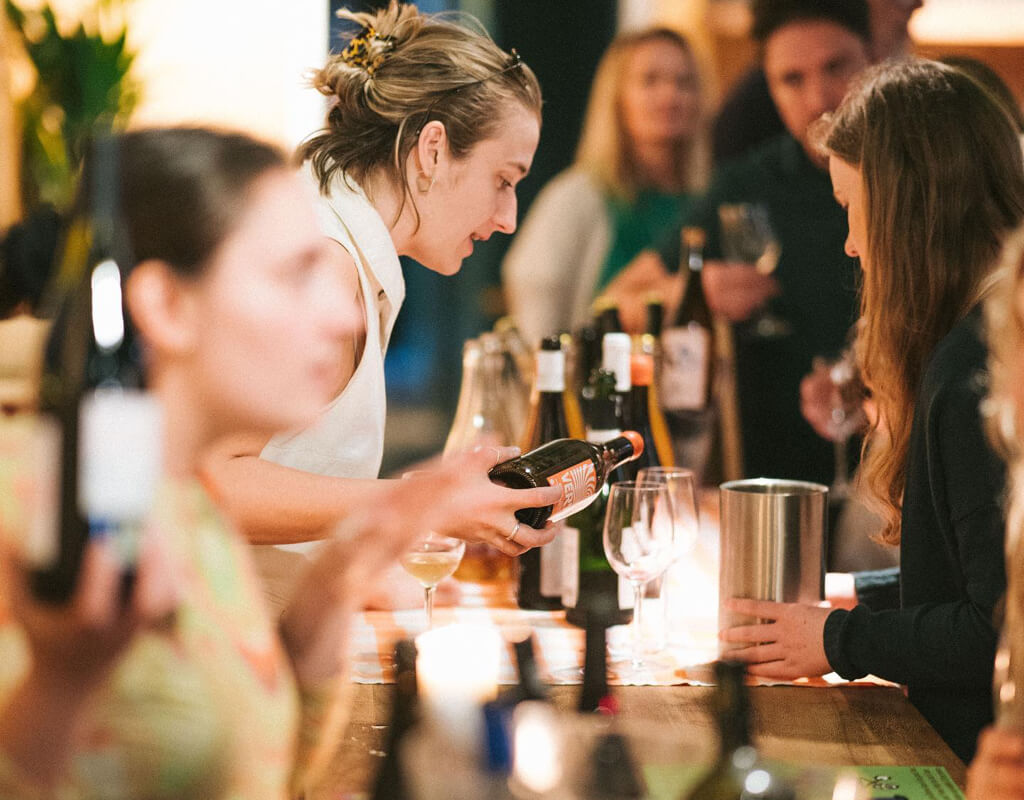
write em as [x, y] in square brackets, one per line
[475, 197]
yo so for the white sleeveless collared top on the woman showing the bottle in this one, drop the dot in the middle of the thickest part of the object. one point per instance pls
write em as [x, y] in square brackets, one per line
[348, 439]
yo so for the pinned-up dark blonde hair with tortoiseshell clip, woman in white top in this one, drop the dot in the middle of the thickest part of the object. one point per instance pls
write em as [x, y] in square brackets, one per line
[404, 70]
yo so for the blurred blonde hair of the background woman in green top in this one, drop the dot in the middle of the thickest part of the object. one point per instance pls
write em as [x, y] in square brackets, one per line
[605, 150]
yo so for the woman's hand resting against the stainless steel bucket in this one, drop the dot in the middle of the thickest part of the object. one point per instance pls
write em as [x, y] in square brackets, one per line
[790, 646]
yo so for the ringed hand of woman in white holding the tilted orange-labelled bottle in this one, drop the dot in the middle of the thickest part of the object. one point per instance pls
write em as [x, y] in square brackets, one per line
[478, 511]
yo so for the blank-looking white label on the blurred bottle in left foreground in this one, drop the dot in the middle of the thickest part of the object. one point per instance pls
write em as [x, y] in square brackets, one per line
[120, 455]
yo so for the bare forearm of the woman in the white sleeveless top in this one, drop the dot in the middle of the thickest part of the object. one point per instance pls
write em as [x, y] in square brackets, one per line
[272, 504]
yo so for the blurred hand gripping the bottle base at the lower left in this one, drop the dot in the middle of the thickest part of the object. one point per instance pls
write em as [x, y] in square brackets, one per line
[80, 644]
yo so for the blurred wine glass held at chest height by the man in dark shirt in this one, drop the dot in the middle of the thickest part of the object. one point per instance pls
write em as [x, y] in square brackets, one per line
[748, 236]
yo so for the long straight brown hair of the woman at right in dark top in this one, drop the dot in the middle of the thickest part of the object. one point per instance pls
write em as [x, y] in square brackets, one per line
[944, 183]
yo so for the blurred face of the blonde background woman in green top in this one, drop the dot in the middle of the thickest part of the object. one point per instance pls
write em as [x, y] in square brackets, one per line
[660, 95]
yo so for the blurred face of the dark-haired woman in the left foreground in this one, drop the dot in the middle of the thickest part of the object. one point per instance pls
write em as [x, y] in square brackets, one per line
[271, 315]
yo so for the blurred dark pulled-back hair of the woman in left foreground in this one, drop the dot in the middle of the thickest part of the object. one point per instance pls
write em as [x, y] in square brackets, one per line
[184, 190]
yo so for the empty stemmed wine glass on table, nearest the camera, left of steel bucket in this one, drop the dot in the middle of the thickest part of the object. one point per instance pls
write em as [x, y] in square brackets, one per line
[638, 544]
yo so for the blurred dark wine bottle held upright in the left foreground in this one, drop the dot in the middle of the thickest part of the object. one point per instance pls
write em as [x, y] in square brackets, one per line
[106, 430]
